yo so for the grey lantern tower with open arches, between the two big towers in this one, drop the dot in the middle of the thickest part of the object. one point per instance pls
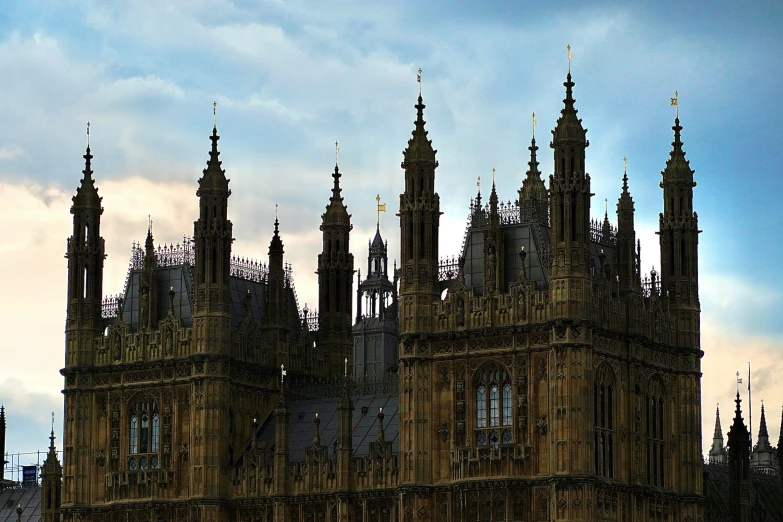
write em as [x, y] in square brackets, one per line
[375, 331]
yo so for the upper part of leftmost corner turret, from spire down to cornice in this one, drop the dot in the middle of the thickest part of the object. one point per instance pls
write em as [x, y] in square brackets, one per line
[85, 254]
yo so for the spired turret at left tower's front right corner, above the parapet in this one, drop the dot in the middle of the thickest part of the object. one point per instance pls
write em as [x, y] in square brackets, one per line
[212, 236]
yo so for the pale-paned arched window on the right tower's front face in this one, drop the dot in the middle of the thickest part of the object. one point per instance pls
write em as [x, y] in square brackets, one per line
[494, 413]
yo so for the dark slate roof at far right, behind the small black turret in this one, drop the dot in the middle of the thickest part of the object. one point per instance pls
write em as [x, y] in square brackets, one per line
[766, 498]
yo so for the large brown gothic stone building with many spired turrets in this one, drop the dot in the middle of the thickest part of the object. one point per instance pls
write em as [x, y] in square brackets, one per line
[539, 377]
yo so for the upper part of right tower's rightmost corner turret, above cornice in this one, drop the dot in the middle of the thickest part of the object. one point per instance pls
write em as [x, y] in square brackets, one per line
[679, 238]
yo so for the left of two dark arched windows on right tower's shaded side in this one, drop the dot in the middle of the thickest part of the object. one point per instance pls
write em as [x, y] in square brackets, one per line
[603, 415]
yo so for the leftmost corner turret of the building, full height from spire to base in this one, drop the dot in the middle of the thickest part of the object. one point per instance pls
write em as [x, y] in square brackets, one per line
[85, 257]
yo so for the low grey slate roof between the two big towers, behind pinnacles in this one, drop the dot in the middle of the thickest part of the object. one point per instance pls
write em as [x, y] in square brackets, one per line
[301, 428]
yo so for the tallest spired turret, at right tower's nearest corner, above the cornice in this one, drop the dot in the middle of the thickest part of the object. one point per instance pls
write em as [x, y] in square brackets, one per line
[569, 193]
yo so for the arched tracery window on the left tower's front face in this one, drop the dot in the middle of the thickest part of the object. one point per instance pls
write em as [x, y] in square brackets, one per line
[144, 435]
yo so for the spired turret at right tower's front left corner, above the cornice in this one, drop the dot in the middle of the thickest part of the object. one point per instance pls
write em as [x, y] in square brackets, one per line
[419, 225]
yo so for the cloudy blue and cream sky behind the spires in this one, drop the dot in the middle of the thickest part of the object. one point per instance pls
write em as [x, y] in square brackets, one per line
[291, 78]
